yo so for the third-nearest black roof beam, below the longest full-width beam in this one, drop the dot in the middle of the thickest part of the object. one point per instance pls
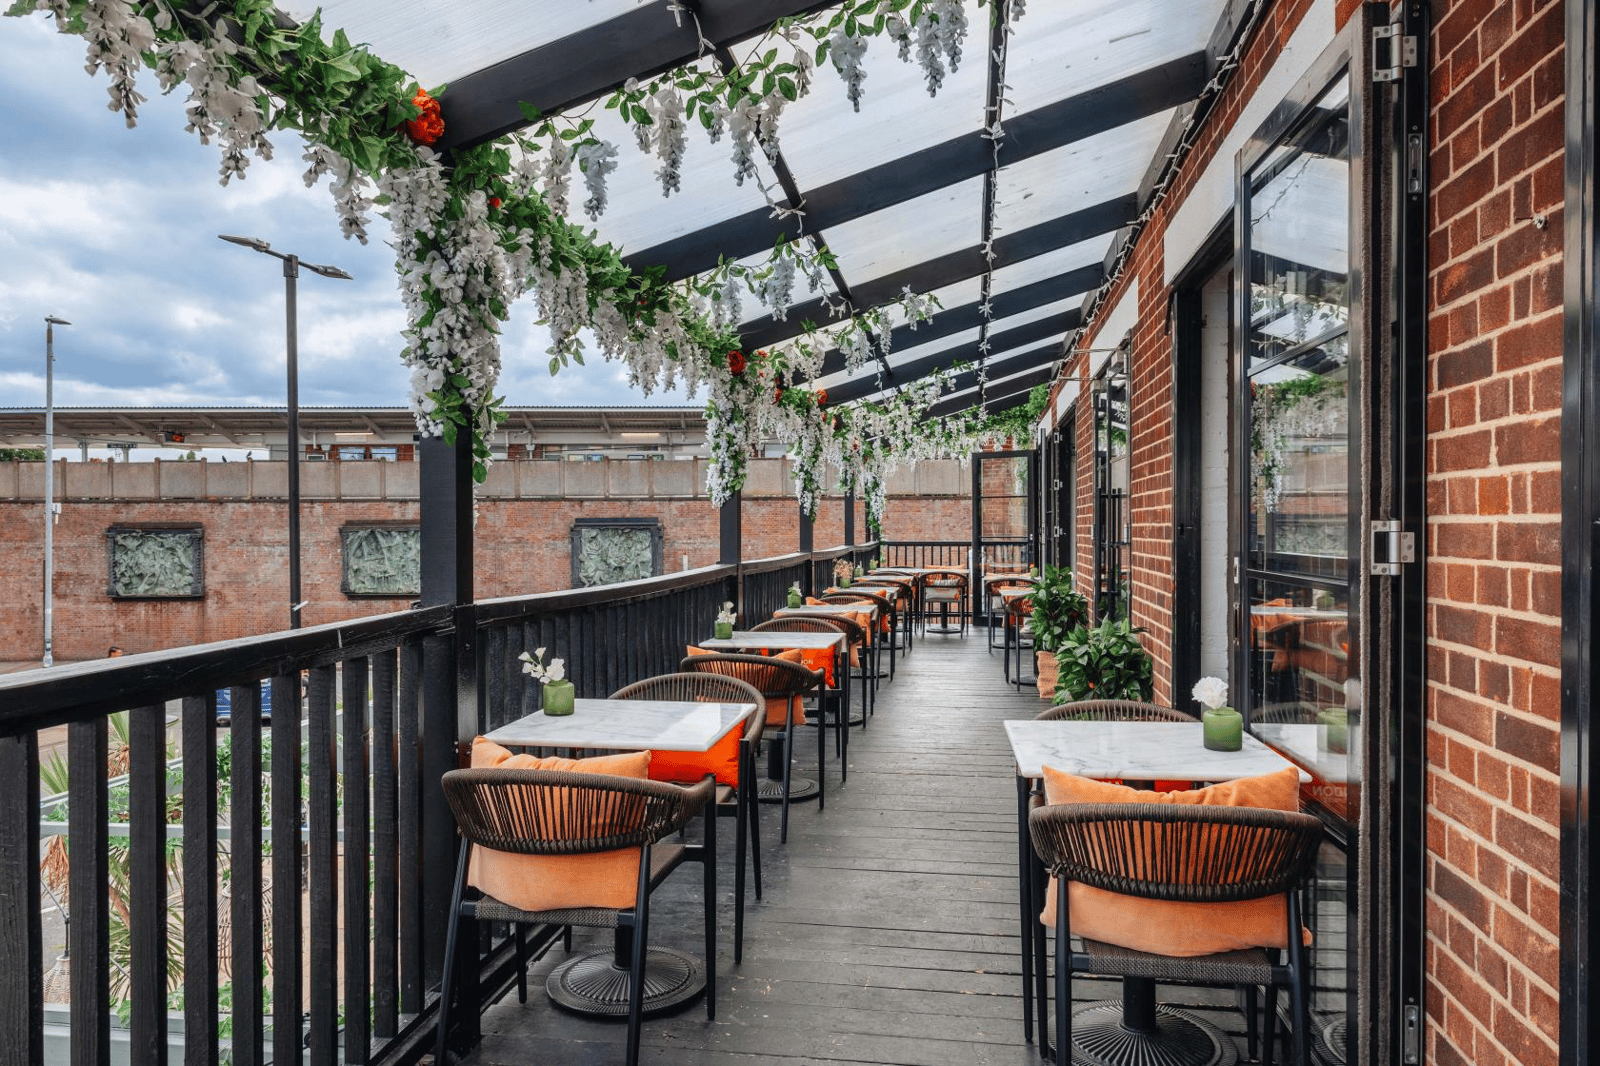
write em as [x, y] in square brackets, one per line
[961, 266]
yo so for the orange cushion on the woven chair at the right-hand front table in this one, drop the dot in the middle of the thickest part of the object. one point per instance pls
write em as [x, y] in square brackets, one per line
[1175, 928]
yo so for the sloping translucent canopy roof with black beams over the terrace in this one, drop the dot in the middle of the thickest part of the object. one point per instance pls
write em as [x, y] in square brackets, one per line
[902, 193]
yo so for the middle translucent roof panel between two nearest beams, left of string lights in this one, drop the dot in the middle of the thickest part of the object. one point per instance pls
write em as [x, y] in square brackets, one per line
[825, 138]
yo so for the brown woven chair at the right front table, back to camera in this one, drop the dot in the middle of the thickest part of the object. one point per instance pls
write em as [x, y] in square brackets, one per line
[1188, 854]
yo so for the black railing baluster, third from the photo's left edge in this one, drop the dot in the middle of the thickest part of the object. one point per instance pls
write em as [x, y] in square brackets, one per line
[146, 883]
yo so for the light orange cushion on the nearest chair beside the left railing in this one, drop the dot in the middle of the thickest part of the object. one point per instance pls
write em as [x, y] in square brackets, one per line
[553, 883]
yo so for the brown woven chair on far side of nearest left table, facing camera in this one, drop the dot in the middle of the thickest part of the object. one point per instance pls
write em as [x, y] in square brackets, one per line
[737, 801]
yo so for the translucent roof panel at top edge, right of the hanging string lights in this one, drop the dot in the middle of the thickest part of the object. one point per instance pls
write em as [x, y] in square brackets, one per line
[1108, 42]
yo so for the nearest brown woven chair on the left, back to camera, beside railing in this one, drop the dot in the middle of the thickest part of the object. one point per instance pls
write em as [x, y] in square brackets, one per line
[554, 812]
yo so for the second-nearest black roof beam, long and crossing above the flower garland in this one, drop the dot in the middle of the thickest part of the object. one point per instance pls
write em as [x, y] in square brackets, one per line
[929, 170]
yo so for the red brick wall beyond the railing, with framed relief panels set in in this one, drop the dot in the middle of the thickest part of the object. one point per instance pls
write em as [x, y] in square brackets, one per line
[522, 547]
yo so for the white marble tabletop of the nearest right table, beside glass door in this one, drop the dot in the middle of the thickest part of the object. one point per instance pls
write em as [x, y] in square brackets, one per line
[1138, 751]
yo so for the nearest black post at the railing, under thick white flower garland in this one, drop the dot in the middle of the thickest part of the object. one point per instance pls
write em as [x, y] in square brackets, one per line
[449, 686]
